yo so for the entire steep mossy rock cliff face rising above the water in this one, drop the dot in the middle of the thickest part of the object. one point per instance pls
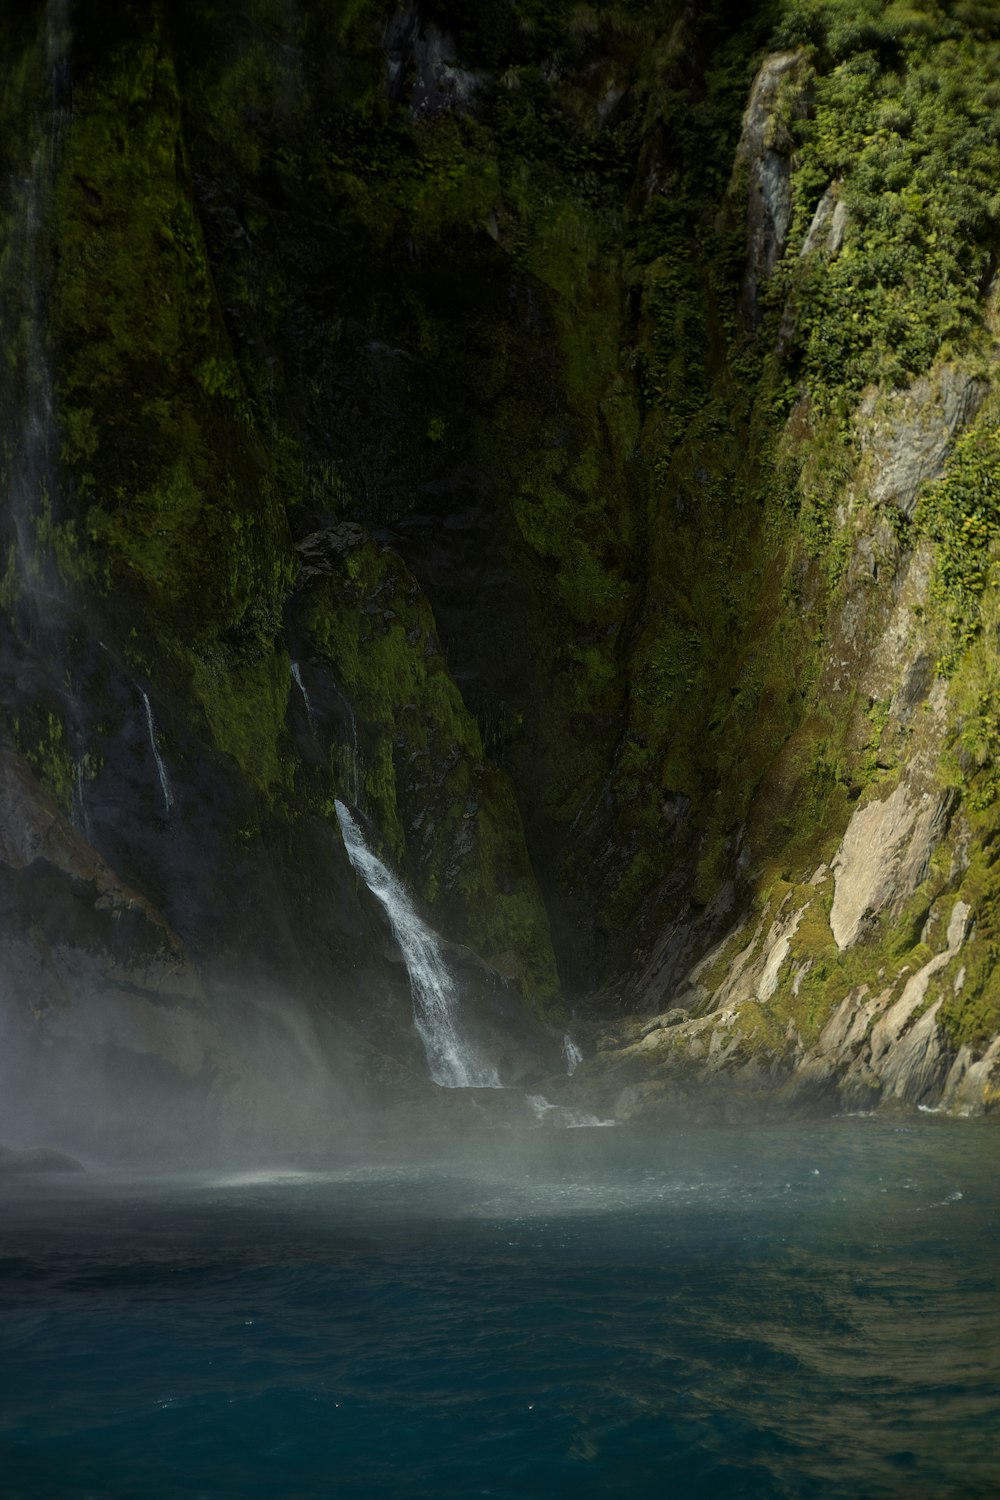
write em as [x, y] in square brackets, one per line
[569, 437]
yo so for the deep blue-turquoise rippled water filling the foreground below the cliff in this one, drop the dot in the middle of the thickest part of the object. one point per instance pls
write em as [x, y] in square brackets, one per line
[773, 1313]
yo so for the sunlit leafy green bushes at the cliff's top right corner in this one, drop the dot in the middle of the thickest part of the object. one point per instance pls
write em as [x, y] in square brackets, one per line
[905, 119]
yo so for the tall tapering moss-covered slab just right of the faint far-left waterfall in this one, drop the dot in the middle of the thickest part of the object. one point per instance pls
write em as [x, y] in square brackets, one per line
[181, 521]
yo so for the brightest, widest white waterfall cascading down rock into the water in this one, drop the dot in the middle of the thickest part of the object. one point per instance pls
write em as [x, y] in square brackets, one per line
[452, 1060]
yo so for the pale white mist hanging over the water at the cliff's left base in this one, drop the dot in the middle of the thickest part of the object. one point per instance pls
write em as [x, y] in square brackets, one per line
[128, 1082]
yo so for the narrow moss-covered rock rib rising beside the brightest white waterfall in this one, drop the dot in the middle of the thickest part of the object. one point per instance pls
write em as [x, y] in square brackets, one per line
[446, 815]
